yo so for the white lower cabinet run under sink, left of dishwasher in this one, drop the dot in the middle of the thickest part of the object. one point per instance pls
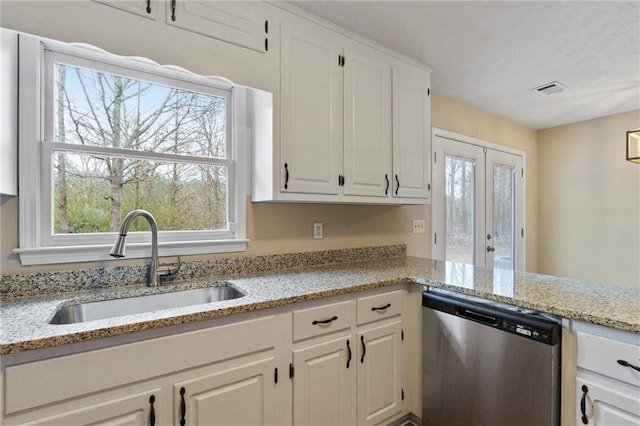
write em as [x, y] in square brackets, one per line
[336, 361]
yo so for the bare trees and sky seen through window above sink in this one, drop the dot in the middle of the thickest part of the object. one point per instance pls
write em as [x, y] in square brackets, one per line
[127, 118]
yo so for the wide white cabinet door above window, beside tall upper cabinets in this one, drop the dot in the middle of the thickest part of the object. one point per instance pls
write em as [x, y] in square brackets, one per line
[239, 22]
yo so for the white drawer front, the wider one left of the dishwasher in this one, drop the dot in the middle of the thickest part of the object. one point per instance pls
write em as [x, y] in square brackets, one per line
[321, 320]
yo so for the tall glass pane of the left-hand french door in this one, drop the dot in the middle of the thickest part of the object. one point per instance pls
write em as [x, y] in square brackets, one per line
[459, 209]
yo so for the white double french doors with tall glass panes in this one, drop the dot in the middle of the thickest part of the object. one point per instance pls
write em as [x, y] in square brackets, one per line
[478, 203]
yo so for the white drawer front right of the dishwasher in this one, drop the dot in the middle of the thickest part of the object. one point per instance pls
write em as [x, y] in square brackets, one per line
[604, 356]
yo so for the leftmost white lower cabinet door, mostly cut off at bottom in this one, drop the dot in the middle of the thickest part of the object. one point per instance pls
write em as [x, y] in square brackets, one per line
[137, 409]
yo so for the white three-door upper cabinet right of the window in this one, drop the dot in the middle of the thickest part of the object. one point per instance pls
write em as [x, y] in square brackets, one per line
[337, 124]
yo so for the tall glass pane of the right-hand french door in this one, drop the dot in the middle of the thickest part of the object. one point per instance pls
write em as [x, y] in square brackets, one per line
[503, 216]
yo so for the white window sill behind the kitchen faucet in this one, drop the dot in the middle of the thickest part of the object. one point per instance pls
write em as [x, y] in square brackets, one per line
[99, 253]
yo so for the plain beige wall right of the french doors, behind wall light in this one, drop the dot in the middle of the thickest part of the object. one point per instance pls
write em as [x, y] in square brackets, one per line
[589, 199]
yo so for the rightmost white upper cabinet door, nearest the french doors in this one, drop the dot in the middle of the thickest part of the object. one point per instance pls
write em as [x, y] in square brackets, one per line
[411, 132]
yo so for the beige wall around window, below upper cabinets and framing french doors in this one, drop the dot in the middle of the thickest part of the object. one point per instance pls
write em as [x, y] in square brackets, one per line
[272, 228]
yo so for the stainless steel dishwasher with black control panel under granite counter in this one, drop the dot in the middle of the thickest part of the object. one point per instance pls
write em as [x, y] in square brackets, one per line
[488, 363]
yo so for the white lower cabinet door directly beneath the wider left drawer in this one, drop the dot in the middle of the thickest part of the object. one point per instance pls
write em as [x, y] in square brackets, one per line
[323, 383]
